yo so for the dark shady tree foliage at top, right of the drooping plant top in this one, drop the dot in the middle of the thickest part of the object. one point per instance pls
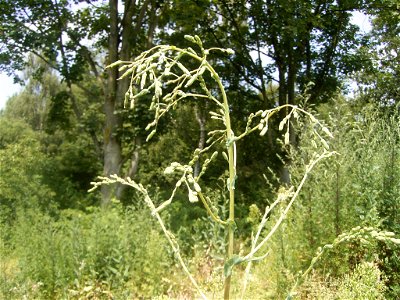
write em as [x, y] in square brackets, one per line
[290, 43]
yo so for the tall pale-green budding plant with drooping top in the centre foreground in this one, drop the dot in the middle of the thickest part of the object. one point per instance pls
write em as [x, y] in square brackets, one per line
[164, 73]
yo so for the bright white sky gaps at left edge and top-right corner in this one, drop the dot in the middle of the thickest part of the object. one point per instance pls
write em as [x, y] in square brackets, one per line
[8, 88]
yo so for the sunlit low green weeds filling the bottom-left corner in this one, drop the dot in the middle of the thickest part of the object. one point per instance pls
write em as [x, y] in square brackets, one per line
[98, 253]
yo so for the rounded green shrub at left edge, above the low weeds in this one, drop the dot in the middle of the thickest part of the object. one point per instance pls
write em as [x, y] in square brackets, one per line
[22, 184]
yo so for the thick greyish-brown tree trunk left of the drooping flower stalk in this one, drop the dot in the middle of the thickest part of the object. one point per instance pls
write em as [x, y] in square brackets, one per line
[122, 36]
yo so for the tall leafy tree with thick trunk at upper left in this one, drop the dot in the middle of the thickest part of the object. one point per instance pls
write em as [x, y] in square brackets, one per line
[71, 37]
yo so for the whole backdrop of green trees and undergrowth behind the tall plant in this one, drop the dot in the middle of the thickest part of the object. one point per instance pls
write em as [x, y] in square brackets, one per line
[68, 125]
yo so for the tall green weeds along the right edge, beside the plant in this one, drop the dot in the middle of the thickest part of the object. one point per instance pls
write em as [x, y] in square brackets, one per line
[359, 187]
